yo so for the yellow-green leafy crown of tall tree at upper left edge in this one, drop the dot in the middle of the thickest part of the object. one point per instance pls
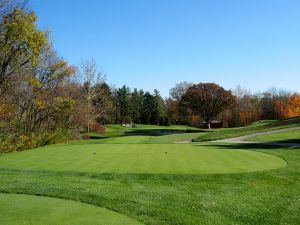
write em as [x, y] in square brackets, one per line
[21, 44]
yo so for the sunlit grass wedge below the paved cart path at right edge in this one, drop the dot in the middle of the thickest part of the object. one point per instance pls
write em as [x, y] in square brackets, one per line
[285, 137]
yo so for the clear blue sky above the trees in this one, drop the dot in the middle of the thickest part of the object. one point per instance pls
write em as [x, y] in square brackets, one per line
[157, 43]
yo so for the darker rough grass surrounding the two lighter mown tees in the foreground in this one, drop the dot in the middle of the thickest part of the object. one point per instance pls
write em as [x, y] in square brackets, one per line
[264, 198]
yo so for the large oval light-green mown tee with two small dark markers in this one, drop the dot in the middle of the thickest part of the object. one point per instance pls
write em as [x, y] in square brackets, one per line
[141, 158]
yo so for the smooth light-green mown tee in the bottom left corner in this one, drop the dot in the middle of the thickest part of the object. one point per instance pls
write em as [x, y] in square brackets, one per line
[36, 210]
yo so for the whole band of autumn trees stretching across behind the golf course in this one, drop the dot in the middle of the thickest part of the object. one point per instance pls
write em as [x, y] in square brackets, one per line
[44, 99]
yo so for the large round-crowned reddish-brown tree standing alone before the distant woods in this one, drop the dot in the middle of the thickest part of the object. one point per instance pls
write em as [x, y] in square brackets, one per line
[207, 100]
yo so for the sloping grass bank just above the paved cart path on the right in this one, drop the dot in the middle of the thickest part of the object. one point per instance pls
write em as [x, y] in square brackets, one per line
[261, 126]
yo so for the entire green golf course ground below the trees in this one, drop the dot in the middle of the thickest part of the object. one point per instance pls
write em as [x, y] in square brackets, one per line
[123, 178]
